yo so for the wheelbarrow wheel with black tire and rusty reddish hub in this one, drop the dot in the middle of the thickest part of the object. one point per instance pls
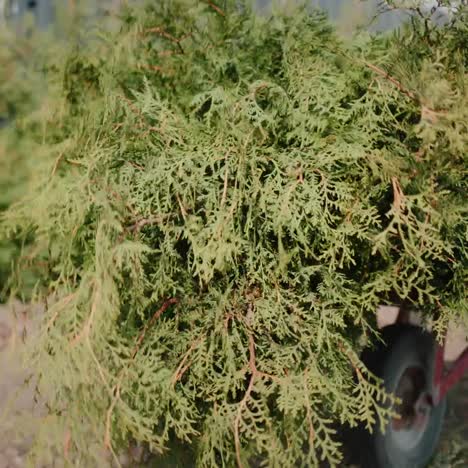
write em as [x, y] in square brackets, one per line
[405, 363]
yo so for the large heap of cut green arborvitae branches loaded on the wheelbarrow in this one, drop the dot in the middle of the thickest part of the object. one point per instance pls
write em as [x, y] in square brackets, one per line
[221, 204]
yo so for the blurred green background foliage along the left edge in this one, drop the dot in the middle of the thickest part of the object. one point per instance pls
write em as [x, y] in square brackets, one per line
[25, 56]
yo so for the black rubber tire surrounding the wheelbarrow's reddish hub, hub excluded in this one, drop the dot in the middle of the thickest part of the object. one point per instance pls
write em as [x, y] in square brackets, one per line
[403, 347]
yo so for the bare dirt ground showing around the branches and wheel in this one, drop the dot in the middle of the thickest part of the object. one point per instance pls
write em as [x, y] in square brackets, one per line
[16, 324]
